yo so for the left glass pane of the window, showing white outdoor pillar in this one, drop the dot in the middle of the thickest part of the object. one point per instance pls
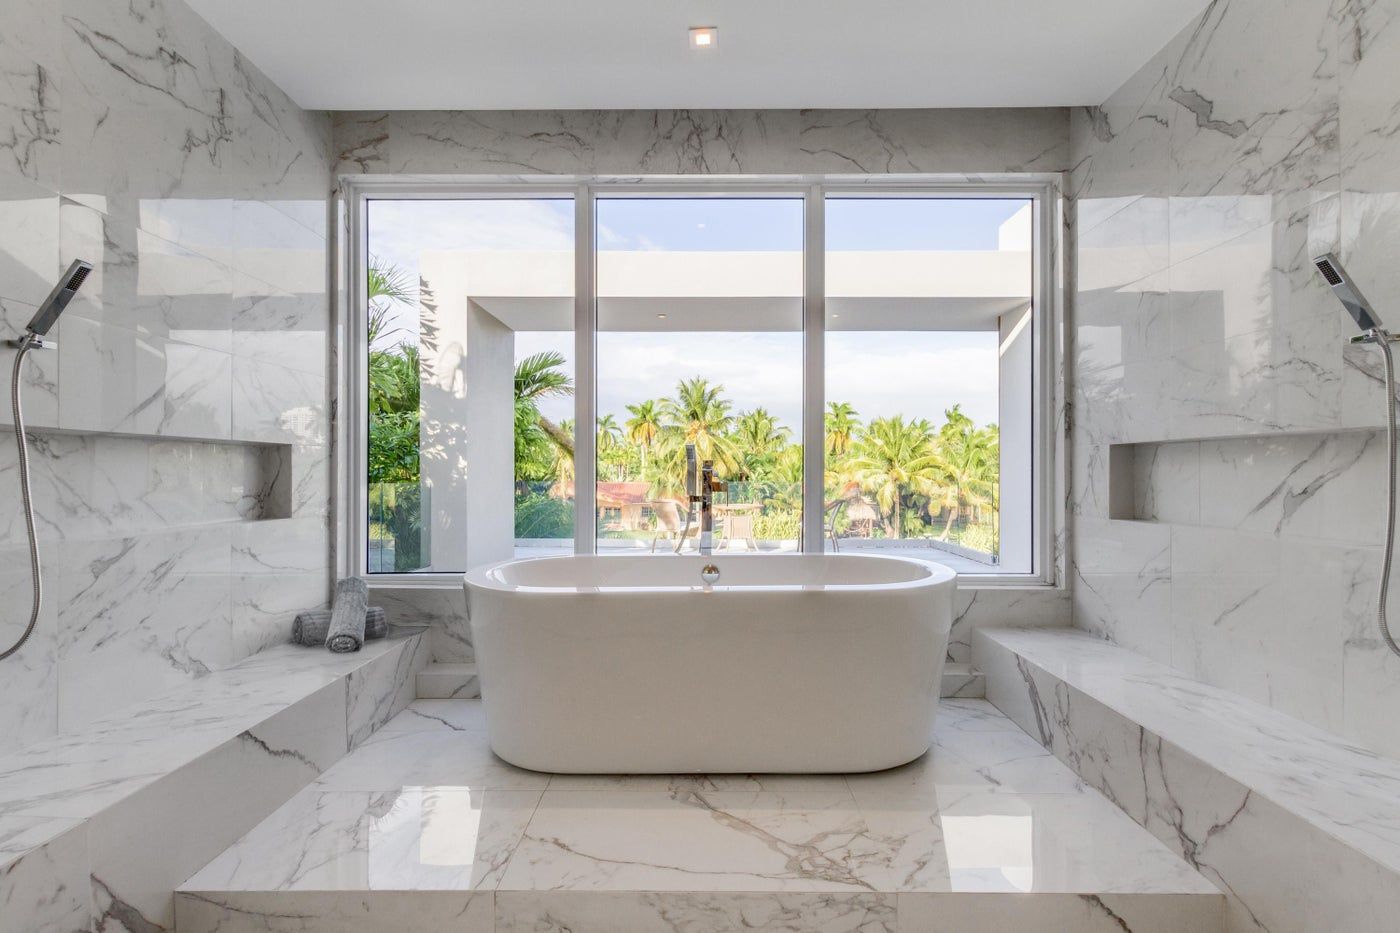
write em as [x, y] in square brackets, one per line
[471, 317]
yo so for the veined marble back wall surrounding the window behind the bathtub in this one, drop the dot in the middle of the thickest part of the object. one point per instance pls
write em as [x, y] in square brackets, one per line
[948, 142]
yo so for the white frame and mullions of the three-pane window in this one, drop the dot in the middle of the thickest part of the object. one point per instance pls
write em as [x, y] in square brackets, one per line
[352, 427]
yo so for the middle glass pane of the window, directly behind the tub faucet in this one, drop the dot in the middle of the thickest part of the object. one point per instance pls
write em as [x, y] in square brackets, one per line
[699, 343]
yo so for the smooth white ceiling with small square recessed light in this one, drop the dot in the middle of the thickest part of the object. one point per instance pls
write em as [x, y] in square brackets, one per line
[346, 55]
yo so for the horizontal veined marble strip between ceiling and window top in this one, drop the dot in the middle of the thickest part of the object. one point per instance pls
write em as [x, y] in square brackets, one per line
[681, 142]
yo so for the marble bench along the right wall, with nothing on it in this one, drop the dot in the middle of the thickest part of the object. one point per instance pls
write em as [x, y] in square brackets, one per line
[1298, 827]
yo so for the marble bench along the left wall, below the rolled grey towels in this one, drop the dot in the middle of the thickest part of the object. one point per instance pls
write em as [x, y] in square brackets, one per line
[100, 826]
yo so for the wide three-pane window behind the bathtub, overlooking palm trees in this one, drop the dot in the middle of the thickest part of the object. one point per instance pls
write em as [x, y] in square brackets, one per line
[862, 369]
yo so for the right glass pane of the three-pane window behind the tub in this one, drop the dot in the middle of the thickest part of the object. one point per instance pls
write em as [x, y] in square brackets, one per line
[929, 379]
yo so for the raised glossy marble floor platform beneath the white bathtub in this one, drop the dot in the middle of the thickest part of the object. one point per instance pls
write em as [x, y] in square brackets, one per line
[423, 829]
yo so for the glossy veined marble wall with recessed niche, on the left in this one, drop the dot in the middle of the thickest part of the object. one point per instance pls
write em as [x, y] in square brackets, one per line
[191, 376]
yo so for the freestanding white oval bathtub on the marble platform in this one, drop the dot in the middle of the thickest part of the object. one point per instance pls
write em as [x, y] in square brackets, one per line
[789, 663]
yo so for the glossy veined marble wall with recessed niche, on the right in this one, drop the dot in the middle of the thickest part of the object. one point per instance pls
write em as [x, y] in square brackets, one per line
[1265, 134]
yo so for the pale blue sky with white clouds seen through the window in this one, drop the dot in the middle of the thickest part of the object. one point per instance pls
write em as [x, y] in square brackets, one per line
[913, 373]
